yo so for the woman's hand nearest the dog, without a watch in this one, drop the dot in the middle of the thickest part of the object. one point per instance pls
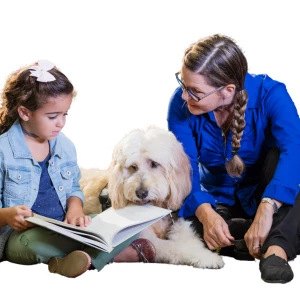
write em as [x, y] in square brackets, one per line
[216, 232]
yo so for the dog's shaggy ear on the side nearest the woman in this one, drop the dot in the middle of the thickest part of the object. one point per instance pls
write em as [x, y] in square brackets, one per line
[179, 178]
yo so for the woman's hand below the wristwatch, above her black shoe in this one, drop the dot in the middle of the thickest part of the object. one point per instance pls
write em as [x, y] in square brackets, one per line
[259, 229]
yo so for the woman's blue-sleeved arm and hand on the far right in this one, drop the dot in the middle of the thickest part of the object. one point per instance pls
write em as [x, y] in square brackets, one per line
[284, 186]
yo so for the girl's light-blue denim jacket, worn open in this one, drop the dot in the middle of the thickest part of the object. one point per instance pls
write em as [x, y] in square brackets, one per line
[20, 173]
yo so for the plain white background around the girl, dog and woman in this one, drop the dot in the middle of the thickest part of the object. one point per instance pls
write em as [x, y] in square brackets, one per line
[121, 57]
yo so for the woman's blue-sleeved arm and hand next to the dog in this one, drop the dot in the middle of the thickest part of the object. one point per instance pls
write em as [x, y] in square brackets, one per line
[199, 203]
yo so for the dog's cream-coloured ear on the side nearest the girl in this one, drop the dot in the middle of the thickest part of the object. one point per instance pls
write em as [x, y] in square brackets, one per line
[115, 186]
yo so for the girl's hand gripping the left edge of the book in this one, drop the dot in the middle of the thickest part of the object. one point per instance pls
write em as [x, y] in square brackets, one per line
[15, 217]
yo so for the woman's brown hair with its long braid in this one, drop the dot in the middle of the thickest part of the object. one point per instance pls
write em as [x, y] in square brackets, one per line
[222, 62]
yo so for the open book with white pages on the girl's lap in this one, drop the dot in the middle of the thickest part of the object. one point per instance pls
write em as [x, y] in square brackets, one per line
[109, 228]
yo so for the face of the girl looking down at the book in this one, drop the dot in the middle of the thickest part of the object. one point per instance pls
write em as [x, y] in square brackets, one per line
[47, 121]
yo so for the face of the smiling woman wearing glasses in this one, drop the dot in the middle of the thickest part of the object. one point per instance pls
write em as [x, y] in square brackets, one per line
[196, 84]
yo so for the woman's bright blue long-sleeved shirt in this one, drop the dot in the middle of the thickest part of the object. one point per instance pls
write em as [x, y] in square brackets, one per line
[271, 120]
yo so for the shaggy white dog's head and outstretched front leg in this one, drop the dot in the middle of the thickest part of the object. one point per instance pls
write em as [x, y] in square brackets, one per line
[151, 166]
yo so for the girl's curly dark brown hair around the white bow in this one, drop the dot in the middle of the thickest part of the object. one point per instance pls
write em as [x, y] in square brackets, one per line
[21, 89]
